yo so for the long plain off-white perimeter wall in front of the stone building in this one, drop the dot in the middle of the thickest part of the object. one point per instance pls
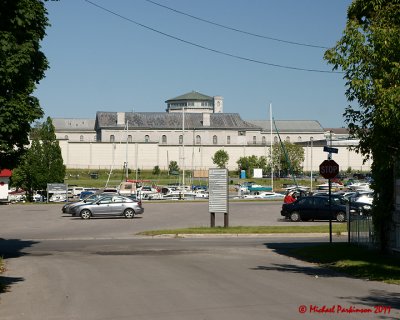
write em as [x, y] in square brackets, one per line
[146, 156]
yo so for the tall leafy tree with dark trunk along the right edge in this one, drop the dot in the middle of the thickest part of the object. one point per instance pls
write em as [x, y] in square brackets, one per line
[369, 55]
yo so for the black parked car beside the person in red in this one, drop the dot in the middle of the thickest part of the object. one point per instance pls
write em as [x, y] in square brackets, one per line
[316, 208]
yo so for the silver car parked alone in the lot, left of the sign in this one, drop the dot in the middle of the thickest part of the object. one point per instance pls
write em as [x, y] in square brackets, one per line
[115, 205]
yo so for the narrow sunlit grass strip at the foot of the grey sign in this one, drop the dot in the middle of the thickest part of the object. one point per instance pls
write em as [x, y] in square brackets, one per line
[336, 229]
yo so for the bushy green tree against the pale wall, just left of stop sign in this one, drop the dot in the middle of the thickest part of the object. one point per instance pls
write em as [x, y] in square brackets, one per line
[287, 158]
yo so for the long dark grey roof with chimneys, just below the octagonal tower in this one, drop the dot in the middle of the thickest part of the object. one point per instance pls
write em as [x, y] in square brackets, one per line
[162, 120]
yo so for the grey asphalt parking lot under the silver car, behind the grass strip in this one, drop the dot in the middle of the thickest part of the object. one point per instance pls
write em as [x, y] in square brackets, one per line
[46, 221]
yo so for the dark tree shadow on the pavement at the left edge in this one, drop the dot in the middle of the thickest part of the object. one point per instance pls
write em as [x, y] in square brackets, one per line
[12, 248]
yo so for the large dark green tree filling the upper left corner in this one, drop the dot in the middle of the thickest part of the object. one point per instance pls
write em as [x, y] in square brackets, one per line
[22, 66]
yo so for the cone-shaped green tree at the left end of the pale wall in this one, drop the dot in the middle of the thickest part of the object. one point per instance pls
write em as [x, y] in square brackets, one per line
[43, 162]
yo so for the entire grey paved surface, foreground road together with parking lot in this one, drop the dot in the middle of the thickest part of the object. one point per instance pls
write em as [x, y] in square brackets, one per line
[65, 269]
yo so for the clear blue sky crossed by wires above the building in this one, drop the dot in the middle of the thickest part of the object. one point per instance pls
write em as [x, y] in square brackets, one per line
[103, 62]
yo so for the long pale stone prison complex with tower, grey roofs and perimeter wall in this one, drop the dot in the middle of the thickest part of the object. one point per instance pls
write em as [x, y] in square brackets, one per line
[191, 130]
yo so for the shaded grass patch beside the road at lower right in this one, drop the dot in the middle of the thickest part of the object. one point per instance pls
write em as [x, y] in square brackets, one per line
[354, 260]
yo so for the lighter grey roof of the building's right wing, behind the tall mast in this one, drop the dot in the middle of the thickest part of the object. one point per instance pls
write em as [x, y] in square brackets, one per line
[290, 125]
